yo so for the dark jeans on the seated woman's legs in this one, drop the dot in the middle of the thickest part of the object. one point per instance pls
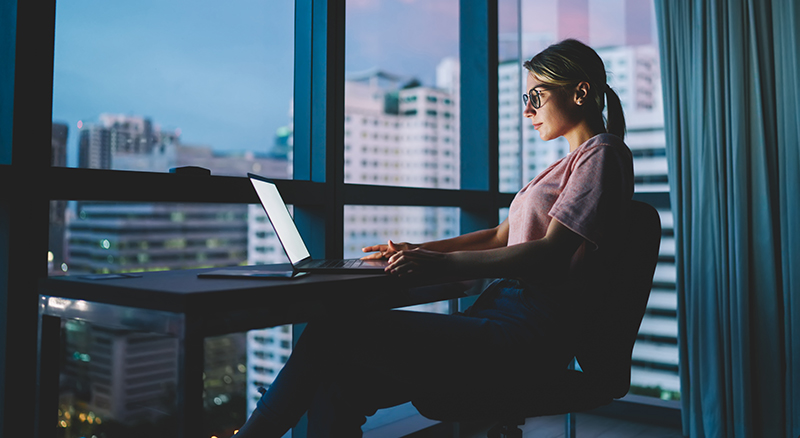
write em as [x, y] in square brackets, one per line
[342, 371]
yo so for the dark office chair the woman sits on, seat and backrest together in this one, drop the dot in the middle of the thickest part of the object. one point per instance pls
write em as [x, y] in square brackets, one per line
[604, 354]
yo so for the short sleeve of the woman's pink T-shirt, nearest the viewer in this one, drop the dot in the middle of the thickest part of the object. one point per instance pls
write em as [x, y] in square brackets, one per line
[596, 189]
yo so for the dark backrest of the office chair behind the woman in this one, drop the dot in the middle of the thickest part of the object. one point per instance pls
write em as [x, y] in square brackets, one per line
[604, 353]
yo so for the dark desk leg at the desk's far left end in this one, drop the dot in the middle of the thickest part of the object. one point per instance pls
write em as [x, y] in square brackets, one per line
[47, 372]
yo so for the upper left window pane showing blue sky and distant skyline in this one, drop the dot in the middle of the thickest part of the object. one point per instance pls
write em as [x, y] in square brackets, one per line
[156, 85]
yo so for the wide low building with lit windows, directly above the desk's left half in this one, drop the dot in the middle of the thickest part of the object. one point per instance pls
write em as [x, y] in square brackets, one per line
[144, 237]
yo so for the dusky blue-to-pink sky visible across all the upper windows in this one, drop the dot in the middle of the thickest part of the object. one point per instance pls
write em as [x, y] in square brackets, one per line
[224, 75]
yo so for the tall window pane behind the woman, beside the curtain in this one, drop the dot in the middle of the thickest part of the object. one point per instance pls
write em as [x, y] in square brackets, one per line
[624, 35]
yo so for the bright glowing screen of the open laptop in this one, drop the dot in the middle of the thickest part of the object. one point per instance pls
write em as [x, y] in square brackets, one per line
[281, 221]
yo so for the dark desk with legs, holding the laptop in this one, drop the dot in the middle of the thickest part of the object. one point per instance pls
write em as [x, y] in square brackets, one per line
[180, 304]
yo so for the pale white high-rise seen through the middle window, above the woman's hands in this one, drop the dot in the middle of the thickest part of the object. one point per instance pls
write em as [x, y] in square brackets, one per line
[402, 135]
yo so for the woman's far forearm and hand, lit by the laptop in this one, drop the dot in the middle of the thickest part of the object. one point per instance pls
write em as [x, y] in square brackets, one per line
[496, 237]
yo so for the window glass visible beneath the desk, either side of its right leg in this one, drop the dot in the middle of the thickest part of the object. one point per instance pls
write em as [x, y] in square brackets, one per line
[116, 380]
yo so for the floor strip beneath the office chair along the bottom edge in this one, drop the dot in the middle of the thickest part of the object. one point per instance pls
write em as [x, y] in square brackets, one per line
[590, 426]
